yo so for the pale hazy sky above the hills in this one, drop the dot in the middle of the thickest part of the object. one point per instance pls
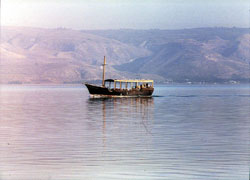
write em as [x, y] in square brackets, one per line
[115, 14]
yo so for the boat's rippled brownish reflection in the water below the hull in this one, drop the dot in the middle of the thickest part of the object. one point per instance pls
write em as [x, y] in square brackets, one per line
[123, 118]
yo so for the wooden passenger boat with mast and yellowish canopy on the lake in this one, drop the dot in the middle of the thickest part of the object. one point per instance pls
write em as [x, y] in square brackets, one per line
[120, 88]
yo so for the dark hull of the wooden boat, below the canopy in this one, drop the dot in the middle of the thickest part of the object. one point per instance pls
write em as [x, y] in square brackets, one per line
[103, 91]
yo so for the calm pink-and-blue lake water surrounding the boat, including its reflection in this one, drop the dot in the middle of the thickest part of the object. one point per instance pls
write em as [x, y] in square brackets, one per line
[186, 132]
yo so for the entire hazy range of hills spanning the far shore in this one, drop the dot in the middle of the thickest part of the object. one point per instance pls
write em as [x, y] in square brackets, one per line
[35, 55]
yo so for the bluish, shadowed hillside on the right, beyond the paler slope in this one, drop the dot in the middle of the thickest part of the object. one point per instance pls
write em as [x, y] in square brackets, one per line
[197, 55]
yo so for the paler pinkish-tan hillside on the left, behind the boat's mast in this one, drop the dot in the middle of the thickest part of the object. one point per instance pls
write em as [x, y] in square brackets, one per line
[33, 55]
